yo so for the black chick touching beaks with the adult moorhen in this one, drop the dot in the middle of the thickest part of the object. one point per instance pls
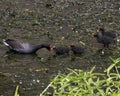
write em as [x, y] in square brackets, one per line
[61, 50]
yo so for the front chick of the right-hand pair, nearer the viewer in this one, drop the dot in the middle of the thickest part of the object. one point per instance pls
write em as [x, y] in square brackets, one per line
[103, 39]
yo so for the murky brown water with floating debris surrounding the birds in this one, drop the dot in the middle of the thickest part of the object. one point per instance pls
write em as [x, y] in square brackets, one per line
[59, 22]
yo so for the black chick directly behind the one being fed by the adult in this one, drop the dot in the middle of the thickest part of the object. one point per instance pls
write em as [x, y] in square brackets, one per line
[77, 49]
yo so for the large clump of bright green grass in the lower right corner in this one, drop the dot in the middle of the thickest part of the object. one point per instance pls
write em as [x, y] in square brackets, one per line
[81, 83]
